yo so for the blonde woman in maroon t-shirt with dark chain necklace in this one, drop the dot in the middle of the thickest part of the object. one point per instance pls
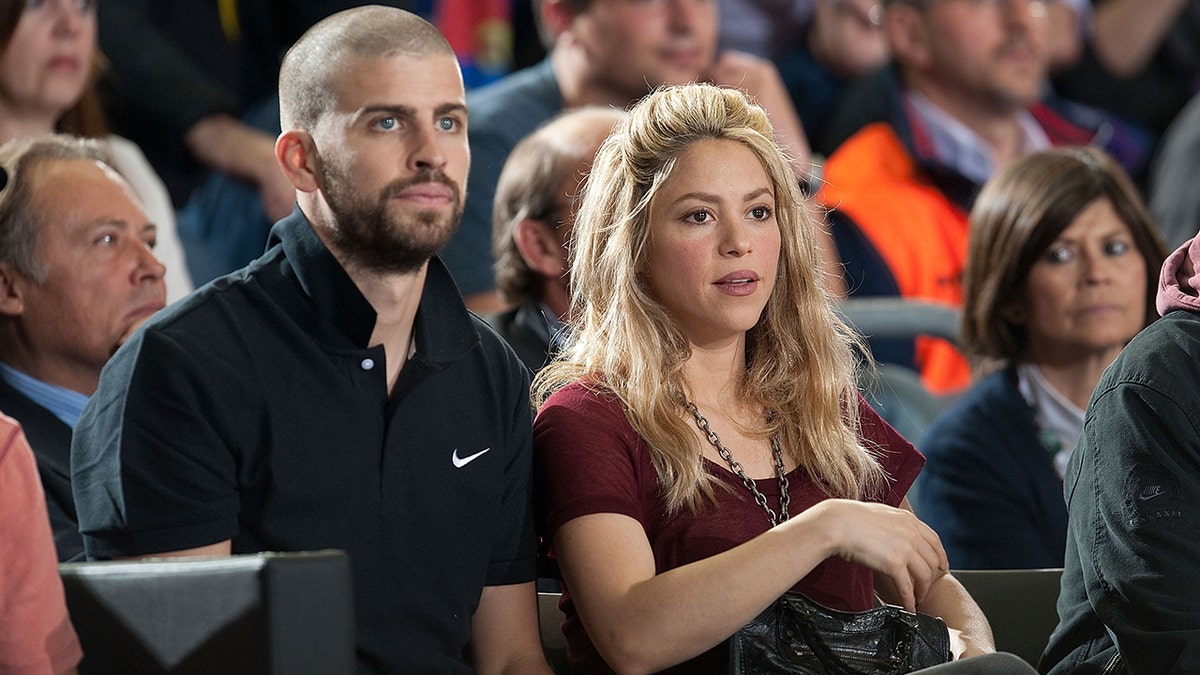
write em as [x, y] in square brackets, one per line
[703, 447]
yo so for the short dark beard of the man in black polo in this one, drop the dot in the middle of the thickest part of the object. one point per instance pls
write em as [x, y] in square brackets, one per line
[369, 237]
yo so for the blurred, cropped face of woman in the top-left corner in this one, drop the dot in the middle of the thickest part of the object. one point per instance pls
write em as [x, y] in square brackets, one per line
[46, 65]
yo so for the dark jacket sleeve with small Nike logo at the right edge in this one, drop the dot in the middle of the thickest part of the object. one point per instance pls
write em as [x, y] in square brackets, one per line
[1132, 517]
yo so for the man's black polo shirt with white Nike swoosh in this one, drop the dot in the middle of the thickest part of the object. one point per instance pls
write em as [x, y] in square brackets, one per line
[254, 411]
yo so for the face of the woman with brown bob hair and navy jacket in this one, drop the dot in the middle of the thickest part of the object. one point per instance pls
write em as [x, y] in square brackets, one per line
[1087, 296]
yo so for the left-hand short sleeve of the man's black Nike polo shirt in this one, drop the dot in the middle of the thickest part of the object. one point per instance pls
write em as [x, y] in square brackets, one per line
[154, 456]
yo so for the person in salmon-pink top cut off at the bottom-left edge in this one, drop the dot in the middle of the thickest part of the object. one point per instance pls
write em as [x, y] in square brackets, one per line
[37, 636]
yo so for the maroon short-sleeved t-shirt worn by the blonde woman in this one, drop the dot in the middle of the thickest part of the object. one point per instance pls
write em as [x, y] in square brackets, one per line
[591, 461]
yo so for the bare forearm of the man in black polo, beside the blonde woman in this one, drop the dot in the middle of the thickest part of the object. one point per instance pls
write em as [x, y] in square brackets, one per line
[505, 631]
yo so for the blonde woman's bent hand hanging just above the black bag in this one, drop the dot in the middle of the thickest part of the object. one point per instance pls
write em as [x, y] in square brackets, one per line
[890, 541]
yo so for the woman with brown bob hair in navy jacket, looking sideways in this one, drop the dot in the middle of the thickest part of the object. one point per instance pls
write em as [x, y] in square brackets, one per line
[1063, 261]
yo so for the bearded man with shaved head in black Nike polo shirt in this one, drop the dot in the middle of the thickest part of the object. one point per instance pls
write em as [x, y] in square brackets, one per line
[335, 393]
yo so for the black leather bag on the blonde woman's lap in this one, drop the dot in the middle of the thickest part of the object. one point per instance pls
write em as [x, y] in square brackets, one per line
[796, 635]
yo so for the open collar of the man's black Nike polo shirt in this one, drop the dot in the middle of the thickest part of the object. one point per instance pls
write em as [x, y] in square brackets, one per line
[443, 330]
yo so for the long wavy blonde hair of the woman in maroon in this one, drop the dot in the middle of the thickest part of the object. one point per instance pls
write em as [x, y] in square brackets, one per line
[801, 357]
